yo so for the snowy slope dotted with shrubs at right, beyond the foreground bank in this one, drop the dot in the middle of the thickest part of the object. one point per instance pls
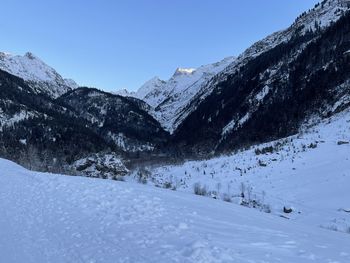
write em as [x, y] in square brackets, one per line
[309, 172]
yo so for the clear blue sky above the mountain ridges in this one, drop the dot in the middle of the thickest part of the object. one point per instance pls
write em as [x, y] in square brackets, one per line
[120, 44]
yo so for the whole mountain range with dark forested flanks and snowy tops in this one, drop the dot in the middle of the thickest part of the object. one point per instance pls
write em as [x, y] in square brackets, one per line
[292, 77]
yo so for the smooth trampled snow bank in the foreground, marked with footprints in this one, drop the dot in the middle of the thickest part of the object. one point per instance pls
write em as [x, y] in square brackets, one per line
[53, 218]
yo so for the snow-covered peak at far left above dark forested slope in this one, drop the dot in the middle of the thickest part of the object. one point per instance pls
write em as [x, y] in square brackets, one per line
[41, 77]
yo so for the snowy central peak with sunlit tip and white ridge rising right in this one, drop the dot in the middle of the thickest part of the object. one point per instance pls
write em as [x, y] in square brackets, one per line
[174, 100]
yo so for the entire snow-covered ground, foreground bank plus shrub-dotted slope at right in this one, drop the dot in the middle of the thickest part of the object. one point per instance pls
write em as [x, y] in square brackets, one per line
[56, 218]
